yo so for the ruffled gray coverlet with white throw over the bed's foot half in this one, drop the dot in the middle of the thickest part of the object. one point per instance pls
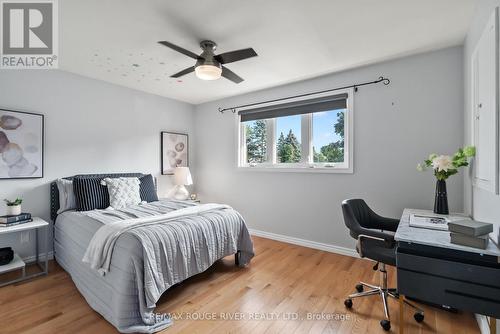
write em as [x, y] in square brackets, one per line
[177, 243]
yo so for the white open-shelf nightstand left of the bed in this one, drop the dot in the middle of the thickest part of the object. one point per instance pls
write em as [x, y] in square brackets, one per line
[17, 263]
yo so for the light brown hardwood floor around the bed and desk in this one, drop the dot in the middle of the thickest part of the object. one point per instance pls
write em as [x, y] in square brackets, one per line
[282, 280]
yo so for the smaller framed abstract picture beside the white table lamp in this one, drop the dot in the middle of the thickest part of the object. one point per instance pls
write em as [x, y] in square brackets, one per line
[174, 151]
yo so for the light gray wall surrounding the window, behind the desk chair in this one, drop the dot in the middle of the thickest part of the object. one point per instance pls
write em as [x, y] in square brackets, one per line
[395, 127]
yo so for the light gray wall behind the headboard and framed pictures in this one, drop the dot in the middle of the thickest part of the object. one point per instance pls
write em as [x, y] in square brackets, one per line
[90, 127]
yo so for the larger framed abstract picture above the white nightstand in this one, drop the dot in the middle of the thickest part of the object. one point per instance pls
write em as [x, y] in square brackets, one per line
[21, 144]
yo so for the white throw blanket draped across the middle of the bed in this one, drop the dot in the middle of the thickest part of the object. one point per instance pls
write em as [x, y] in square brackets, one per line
[100, 249]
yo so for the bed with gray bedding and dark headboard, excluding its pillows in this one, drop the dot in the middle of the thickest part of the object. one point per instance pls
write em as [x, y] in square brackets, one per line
[147, 257]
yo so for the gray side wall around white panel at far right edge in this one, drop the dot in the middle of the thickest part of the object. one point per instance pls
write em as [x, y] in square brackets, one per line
[481, 204]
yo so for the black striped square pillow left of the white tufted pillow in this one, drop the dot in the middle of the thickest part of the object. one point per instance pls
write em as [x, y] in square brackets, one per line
[90, 194]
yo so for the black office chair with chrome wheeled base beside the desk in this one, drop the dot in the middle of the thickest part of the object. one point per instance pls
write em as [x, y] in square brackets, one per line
[375, 240]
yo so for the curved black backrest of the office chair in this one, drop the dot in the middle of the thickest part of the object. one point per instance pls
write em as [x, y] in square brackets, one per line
[357, 214]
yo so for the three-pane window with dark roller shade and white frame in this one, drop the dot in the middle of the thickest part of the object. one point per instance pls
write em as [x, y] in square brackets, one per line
[313, 134]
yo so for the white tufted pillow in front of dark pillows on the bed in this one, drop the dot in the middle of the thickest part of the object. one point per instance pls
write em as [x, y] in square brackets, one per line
[123, 191]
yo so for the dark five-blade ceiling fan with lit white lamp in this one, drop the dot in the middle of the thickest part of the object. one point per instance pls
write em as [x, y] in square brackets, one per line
[209, 66]
